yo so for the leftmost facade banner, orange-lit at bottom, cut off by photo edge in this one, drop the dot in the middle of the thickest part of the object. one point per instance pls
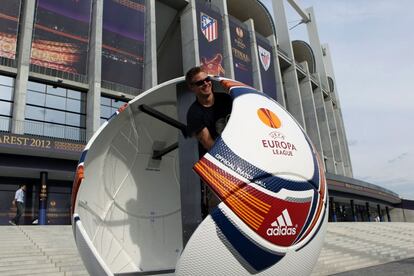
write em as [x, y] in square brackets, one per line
[9, 22]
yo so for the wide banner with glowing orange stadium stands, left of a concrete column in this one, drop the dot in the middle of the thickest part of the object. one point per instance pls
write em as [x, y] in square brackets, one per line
[61, 35]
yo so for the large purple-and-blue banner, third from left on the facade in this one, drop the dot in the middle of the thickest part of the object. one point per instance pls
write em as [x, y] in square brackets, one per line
[123, 39]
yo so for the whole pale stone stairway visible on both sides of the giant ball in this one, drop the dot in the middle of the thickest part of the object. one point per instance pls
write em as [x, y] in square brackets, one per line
[51, 250]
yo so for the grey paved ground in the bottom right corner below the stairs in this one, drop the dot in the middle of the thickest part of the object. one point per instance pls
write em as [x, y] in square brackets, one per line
[402, 267]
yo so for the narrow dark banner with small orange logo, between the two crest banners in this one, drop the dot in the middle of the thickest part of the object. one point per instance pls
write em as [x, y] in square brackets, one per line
[241, 50]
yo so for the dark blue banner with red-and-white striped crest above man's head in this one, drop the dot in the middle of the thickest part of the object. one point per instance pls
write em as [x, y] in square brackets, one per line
[210, 38]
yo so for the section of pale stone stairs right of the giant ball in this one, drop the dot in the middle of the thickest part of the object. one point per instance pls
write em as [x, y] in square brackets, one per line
[349, 245]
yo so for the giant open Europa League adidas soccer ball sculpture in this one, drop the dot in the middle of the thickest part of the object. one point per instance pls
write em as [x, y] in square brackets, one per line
[266, 172]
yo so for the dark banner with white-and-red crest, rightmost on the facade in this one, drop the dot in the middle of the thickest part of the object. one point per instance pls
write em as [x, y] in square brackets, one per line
[267, 68]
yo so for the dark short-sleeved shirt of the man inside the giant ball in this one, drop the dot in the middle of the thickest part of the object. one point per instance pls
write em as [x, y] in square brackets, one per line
[214, 118]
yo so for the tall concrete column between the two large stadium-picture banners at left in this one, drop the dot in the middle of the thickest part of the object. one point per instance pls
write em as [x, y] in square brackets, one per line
[93, 99]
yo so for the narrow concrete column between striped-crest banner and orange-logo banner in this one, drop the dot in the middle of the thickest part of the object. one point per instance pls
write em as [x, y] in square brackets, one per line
[227, 54]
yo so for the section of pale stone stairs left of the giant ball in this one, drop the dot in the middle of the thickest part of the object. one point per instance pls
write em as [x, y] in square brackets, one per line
[39, 250]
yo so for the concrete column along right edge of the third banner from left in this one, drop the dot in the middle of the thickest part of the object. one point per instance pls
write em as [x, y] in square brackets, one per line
[150, 62]
